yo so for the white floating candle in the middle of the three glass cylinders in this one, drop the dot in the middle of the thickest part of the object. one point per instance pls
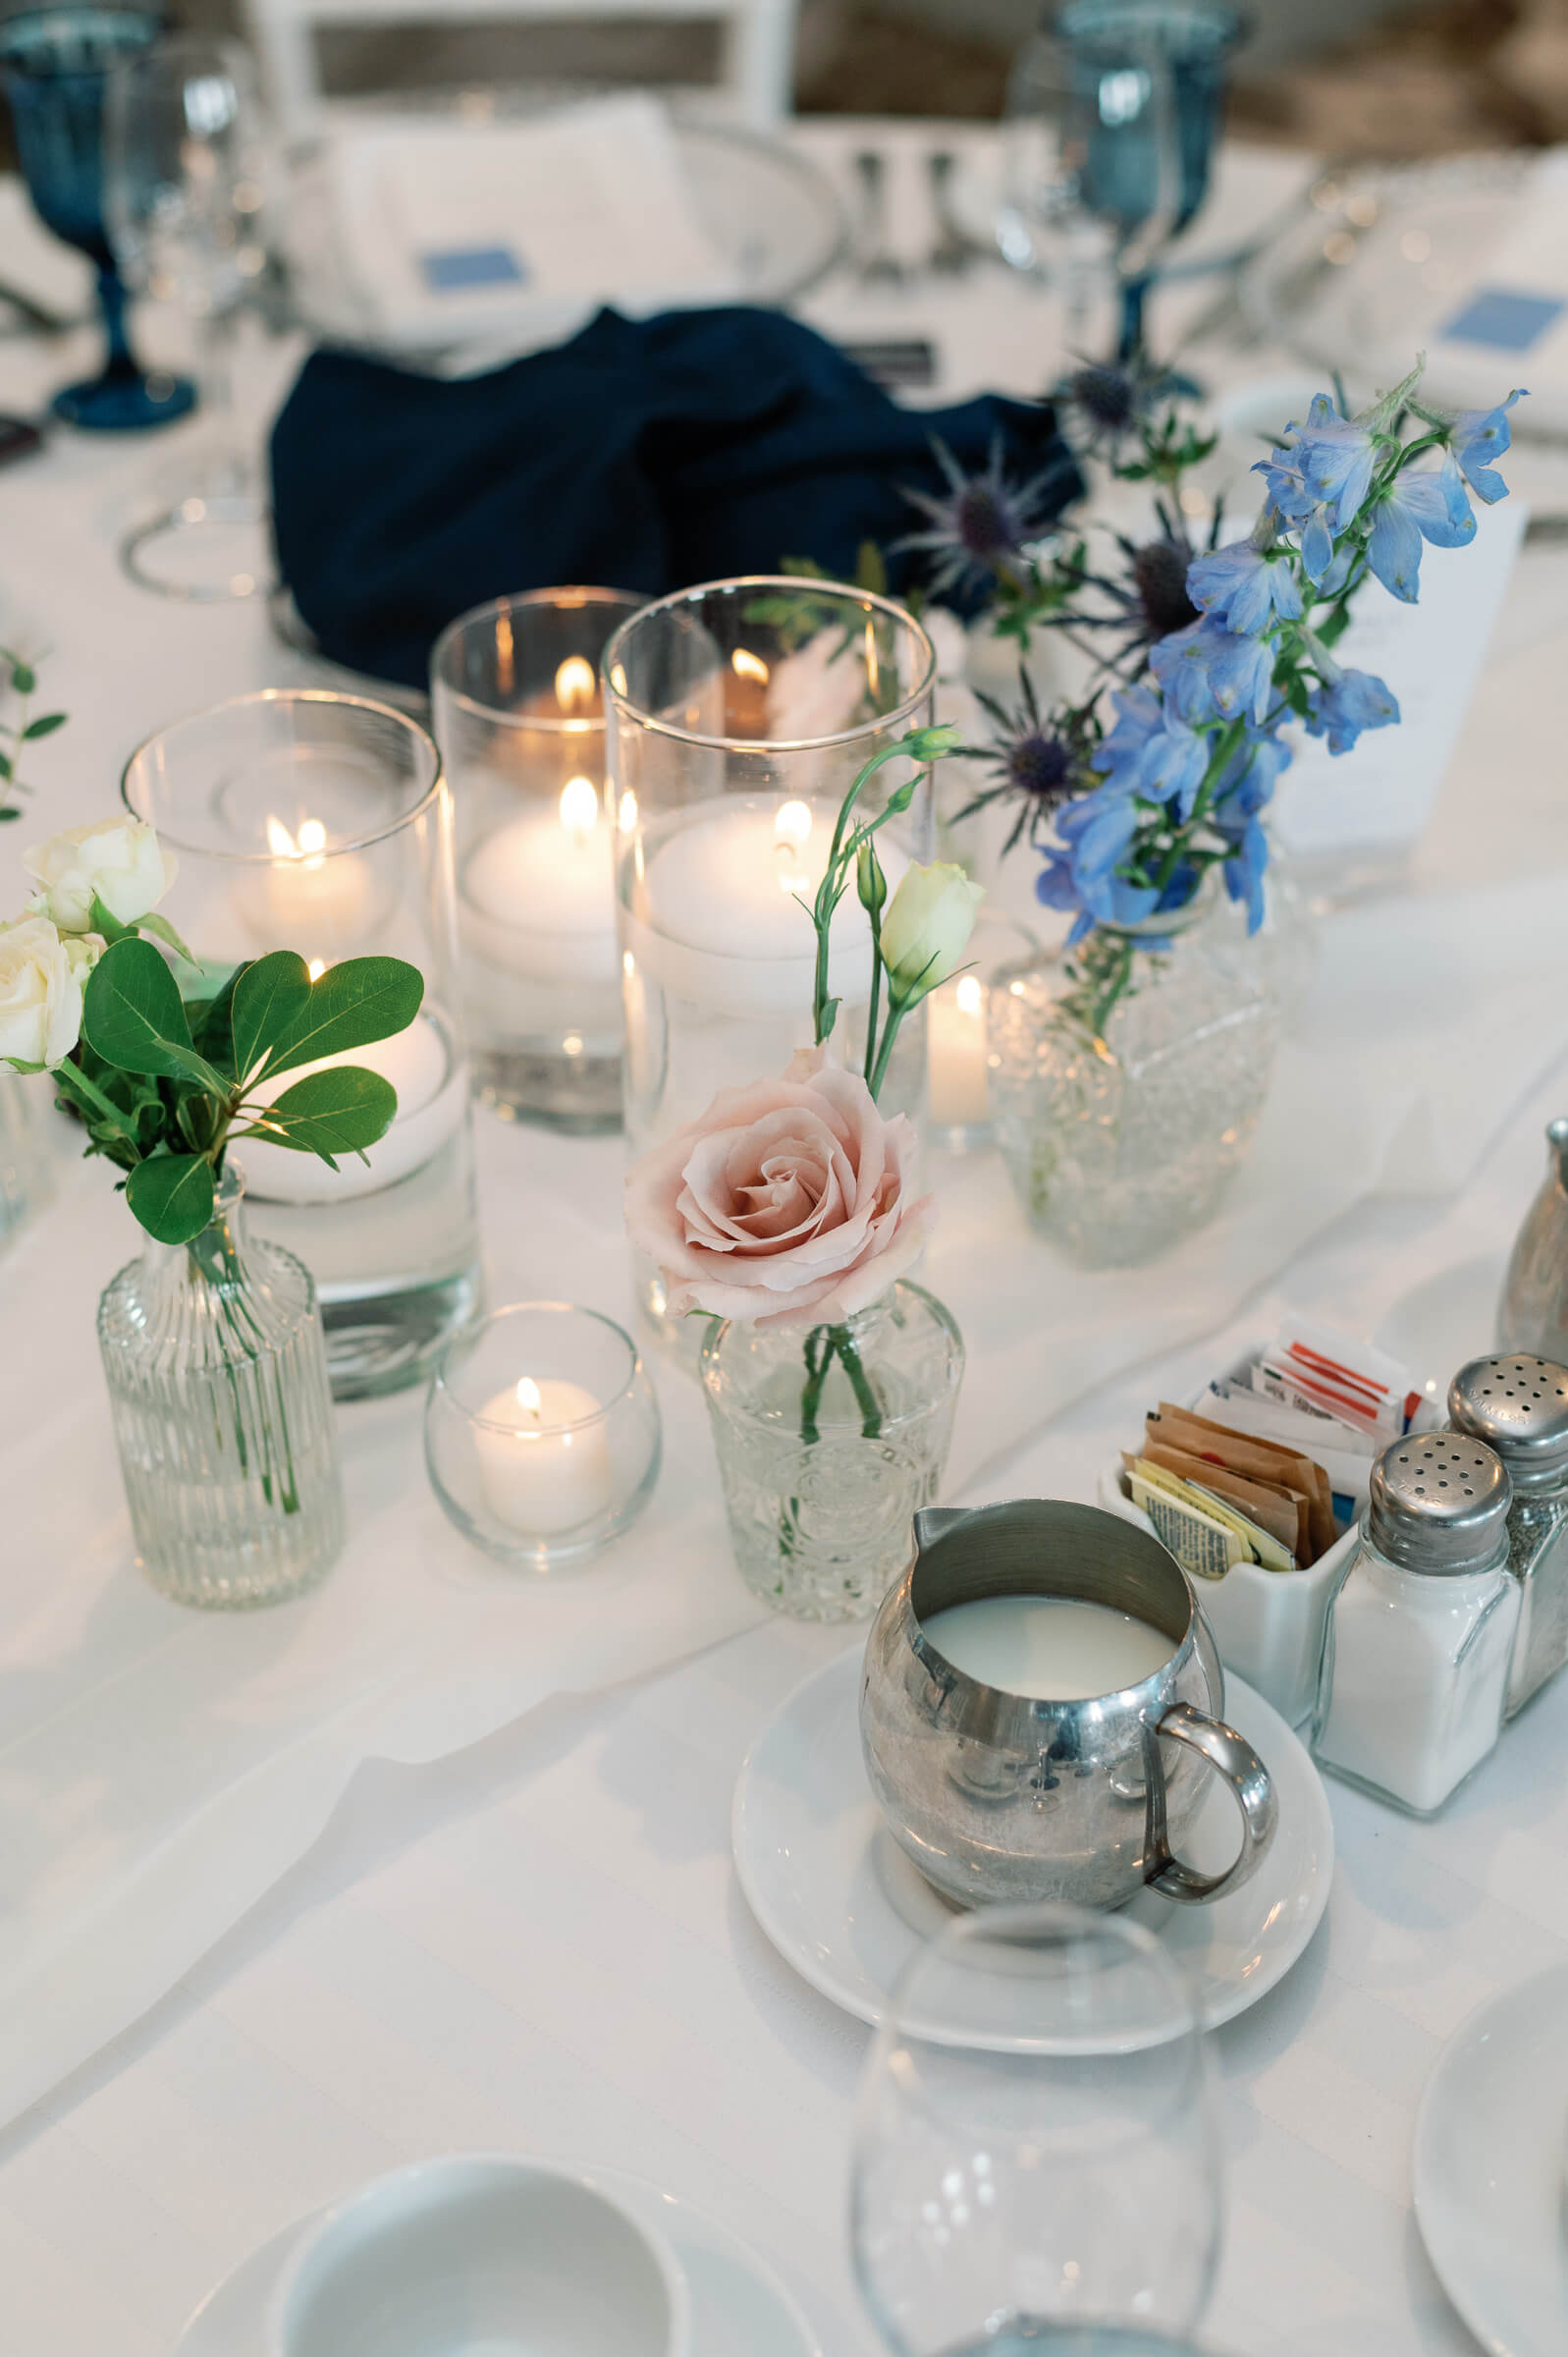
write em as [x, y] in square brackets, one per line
[543, 890]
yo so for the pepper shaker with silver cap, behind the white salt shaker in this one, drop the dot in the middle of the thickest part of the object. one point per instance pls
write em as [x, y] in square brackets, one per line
[1520, 1408]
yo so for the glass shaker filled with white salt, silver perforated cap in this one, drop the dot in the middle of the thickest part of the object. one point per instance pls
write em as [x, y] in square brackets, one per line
[1421, 1639]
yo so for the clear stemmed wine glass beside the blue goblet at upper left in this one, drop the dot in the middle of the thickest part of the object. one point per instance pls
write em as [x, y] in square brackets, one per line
[185, 194]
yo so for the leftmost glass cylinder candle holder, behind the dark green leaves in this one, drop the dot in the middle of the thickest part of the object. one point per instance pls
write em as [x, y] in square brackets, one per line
[322, 824]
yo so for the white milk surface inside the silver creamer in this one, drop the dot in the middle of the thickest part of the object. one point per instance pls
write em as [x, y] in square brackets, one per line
[1050, 1649]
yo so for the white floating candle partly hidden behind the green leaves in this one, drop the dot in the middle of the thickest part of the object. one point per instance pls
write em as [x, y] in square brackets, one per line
[433, 1097]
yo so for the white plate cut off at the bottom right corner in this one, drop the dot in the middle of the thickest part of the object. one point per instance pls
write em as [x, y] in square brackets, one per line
[1491, 2158]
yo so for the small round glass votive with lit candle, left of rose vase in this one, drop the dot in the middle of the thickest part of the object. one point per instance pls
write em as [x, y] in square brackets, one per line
[541, 1434]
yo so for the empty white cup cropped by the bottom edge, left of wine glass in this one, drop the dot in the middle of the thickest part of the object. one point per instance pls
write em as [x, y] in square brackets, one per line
[480, 2252]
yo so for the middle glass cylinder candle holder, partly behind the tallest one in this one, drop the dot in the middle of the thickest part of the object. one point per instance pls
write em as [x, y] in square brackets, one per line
[520, 720]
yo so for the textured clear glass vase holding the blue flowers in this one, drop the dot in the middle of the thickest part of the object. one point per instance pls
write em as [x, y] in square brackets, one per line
[1128, 1078]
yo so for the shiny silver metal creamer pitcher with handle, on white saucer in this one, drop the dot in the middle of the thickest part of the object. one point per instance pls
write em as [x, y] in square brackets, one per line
[999, 1797]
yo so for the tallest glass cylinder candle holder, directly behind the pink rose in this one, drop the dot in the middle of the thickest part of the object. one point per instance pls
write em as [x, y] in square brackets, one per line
[739, 718]
